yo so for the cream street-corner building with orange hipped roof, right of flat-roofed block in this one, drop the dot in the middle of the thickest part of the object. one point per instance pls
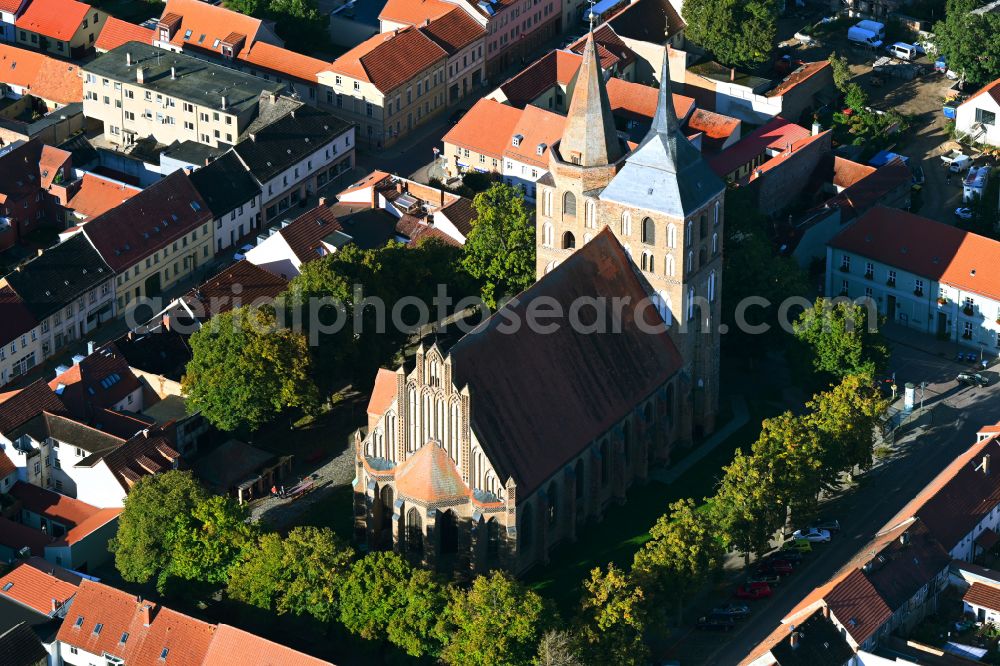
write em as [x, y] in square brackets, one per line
[388, 85]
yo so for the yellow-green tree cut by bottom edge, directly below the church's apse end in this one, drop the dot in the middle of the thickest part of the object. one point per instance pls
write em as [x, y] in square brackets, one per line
[497, 622]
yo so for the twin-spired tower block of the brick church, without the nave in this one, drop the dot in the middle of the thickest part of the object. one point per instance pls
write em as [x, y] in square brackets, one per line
[664, 204]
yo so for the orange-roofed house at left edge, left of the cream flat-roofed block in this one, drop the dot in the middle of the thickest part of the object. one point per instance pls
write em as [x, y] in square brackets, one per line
[25, 73]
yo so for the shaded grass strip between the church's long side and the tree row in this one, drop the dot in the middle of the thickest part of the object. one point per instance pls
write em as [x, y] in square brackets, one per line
[626, 527]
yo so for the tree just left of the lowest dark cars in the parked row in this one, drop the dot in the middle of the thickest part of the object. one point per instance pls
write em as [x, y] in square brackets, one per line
[682, 555]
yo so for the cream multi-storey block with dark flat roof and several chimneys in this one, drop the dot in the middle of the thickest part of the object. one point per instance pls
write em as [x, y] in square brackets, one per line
[138, 91]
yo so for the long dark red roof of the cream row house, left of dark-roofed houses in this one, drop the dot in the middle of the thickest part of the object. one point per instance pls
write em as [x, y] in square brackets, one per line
[148, 222]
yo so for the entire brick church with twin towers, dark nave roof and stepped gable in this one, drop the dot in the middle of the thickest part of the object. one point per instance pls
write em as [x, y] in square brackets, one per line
[489, 452]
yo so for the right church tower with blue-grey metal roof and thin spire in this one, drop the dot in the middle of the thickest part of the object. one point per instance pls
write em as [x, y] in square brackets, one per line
[666, 205]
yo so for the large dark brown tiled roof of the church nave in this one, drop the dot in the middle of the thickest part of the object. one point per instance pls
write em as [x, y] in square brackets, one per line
[539, 399]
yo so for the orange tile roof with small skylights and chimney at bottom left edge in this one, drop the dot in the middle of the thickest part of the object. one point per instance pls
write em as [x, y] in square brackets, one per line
[185, 639]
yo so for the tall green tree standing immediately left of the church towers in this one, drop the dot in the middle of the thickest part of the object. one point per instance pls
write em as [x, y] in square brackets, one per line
[500, 249]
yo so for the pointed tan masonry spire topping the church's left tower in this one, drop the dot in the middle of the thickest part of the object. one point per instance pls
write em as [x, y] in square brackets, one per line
[590, 138]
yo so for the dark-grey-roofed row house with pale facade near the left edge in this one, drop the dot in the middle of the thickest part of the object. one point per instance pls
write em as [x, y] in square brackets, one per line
[69, 290]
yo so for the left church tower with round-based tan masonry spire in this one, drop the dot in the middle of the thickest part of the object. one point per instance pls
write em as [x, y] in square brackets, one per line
[583, 162]
